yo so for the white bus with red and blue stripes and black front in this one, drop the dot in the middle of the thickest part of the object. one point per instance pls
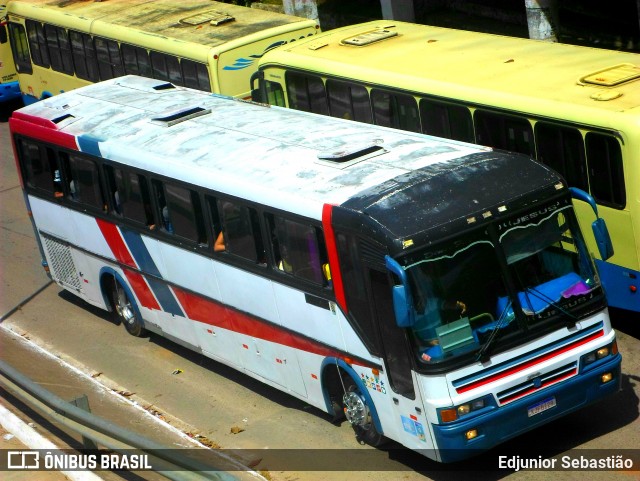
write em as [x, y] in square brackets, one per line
[414, 284]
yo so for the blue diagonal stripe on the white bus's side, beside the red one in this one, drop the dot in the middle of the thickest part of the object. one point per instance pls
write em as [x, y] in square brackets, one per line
[146, 264]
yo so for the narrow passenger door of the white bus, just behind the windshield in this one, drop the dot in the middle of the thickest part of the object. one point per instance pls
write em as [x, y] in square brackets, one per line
[410, 420]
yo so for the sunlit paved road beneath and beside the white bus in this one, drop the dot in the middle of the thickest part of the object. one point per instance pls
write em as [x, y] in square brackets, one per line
[233, 411]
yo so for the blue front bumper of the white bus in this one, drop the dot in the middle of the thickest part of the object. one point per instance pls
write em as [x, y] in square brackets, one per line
[501, 424]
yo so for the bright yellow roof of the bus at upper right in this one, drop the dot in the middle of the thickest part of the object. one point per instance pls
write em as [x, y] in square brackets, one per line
[472, 66]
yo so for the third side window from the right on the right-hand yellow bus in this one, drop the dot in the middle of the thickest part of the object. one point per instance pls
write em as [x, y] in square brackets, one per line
[504, 132]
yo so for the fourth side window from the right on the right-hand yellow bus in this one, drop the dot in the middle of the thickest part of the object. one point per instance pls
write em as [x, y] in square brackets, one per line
[446, 120]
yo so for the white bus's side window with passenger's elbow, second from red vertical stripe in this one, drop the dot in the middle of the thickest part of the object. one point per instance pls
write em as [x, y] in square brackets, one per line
[241, 230]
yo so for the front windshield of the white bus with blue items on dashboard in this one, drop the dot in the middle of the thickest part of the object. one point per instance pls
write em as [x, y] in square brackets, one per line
[475, 294]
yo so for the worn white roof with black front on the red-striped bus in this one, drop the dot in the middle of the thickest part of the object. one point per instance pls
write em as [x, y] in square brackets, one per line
[288, 159]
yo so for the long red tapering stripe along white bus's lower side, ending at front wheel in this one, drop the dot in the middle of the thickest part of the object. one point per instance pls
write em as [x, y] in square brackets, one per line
[213, 313]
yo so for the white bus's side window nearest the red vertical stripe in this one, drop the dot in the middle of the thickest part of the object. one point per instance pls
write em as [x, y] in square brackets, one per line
[298, 248]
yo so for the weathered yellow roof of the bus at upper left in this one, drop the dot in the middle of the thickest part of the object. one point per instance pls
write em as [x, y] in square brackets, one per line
[201, 22]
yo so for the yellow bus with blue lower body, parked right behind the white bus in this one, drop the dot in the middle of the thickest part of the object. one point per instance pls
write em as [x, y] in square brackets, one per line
[573, 108]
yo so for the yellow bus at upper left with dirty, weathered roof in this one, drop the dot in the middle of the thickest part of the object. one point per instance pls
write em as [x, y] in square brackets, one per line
[202, 44]
